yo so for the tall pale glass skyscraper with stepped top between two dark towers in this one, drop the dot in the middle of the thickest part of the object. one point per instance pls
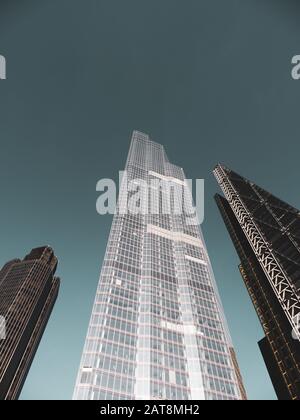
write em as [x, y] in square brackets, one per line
[157, 329]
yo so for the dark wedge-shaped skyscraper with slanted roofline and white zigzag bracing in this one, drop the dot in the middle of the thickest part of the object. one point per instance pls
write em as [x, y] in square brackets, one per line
[266, 234]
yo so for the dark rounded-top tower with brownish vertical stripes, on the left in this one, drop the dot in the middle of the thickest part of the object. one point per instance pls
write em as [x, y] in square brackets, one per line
[28, 290]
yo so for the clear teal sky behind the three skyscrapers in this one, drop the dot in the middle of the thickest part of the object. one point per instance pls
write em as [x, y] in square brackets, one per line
[210, 79]
